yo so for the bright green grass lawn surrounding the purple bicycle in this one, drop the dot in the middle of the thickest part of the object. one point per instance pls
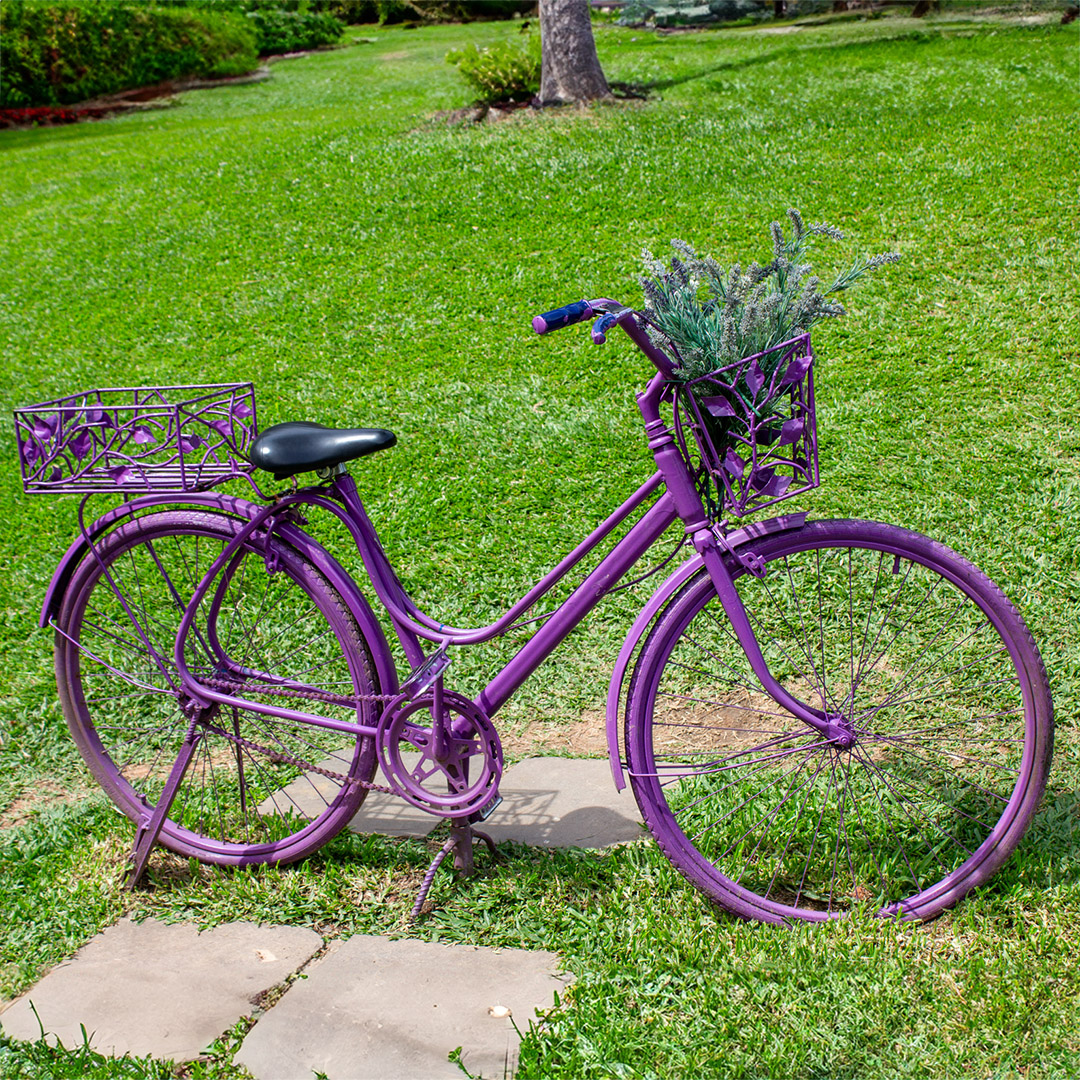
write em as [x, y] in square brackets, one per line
[320, 235]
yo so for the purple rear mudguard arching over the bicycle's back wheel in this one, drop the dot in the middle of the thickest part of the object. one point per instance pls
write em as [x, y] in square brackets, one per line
[245, 510]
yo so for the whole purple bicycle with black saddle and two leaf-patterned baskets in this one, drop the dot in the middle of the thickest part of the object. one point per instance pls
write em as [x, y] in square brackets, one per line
[815, 717]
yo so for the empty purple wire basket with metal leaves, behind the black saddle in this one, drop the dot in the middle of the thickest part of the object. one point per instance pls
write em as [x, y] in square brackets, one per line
[172, 439]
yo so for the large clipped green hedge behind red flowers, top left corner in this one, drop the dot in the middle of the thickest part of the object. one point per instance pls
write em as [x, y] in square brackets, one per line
[65, 52]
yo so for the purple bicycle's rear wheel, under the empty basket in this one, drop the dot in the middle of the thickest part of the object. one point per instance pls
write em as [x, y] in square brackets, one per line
[248, 795]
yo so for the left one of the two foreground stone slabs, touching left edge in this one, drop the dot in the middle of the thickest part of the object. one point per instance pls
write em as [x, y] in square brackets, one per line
[157, 989]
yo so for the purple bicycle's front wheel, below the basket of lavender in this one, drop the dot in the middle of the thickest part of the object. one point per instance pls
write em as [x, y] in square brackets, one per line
[940, 681]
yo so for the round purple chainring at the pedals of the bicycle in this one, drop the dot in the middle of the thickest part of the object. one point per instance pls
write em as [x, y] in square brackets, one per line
[460, 787]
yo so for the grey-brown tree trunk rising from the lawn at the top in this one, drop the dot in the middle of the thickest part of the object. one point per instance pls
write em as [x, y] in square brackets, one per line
[570, 69]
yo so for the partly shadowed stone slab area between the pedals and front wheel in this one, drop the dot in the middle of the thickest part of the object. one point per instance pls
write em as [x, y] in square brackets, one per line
[563, 803]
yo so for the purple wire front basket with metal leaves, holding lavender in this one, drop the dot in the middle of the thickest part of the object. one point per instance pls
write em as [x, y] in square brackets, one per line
[754, 423]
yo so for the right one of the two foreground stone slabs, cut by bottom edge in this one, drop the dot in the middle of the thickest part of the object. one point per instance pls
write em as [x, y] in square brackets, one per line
[394, 1010]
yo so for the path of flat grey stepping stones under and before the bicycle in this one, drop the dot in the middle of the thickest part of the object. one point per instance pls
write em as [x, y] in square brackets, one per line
[369, 1007]
